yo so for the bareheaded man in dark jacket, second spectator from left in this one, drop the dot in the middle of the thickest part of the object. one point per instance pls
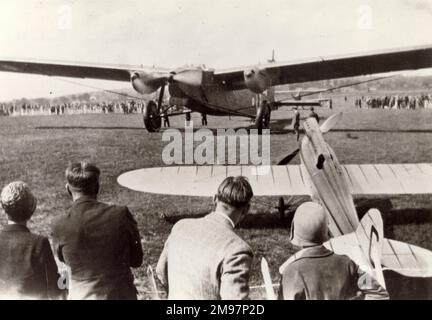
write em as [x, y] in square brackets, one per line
[99, 242]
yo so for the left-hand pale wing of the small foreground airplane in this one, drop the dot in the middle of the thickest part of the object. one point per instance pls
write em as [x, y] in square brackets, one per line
[204, 180]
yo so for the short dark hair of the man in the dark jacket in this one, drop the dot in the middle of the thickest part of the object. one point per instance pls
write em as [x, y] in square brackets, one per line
[83, 176]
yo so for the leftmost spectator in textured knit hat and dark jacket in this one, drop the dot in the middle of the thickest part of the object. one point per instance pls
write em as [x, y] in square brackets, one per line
[27, 266]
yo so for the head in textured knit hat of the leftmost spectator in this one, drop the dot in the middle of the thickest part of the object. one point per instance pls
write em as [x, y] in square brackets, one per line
[18, 201]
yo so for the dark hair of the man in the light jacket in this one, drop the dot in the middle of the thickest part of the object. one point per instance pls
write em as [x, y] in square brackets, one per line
[235, 191]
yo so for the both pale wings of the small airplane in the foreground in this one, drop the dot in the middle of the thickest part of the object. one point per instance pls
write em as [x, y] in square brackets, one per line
[365, 179]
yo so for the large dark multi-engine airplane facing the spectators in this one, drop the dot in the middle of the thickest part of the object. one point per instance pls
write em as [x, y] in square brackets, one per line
[243, 91]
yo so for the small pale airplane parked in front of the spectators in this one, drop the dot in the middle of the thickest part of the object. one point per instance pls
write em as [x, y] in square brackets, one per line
[320, 176]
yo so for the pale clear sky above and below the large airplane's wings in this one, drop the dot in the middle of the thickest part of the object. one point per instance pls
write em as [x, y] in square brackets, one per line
[219, 34]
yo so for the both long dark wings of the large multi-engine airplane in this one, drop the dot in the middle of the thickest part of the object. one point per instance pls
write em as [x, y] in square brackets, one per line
[280, 73]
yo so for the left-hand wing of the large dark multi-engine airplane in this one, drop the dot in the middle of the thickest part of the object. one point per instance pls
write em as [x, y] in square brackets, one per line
[74, 70]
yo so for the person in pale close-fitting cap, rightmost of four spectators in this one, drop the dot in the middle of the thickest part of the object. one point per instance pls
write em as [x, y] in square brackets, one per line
[316, 273]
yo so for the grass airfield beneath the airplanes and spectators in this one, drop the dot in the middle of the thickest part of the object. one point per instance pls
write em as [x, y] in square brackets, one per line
[36, 149]
